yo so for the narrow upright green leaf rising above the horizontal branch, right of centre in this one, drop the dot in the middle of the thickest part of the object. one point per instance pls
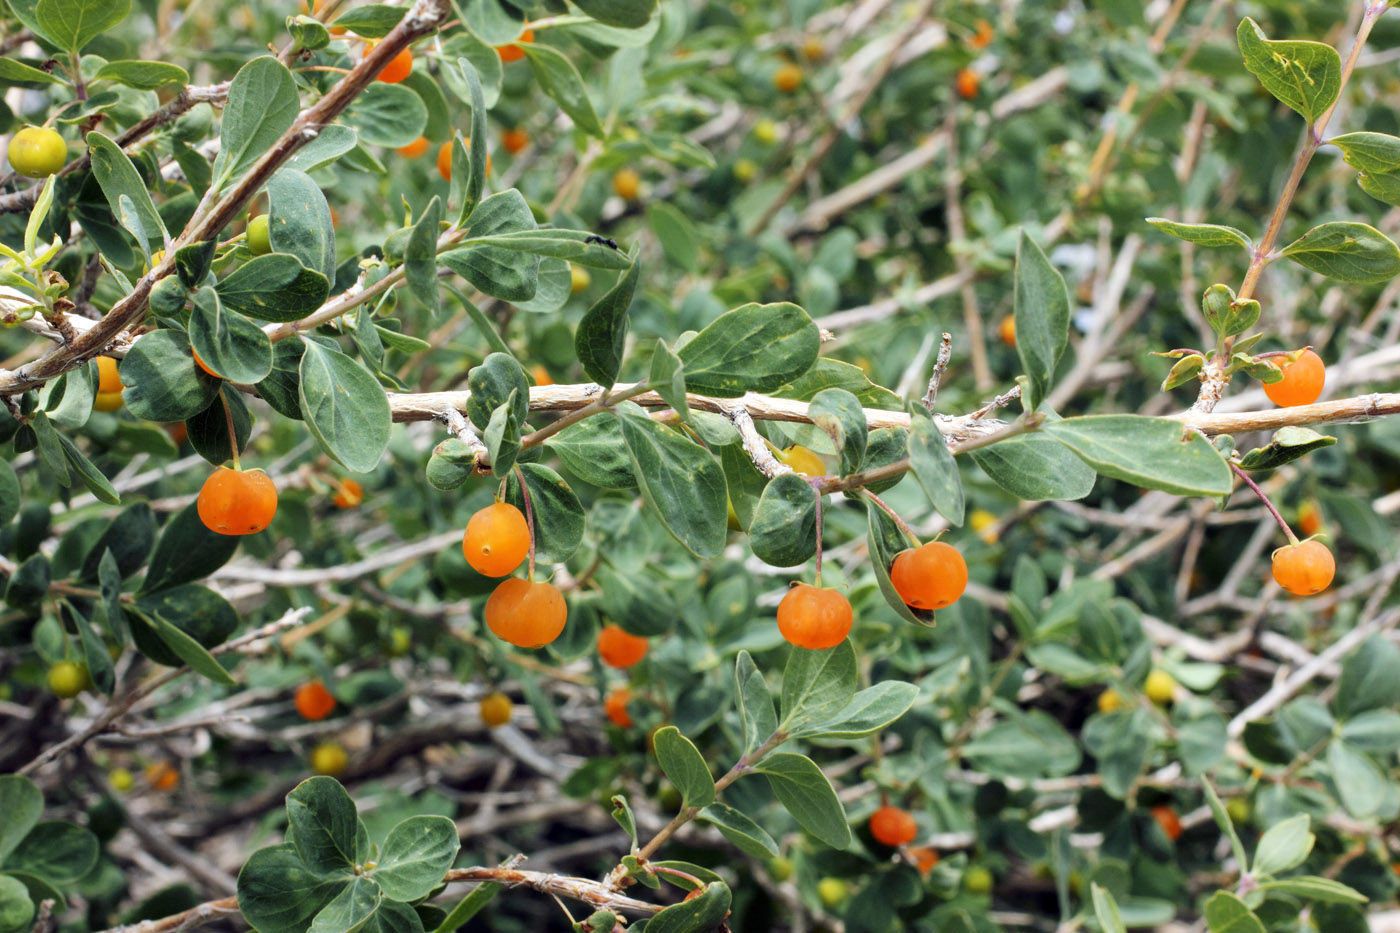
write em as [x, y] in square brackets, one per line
[1042, 315]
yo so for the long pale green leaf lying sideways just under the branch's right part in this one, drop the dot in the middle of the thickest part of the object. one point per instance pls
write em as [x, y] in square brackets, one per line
[1153, 453]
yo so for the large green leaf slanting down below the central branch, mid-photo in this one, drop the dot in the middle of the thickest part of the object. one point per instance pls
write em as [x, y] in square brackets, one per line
[678, 478]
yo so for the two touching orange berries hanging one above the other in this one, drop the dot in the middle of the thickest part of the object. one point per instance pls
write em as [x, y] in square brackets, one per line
[524, 613]
